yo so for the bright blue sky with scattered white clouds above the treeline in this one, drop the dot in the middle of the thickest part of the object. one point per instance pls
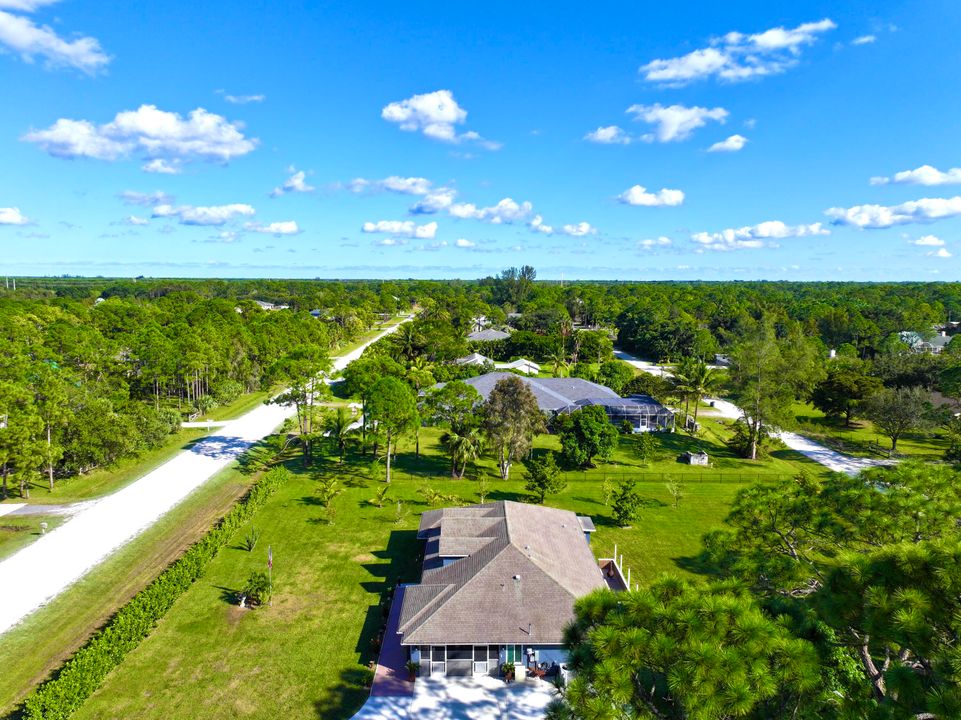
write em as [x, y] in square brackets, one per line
[629, 141]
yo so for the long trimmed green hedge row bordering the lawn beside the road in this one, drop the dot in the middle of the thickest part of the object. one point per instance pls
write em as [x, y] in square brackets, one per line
[80, 676]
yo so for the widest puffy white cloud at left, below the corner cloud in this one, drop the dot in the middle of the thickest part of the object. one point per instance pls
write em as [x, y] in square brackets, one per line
[148, 131]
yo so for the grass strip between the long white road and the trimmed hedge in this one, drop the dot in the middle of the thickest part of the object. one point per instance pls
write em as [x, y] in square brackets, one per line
[47, 637]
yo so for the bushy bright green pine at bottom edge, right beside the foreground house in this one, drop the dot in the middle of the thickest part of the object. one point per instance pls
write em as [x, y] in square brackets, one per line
[683, 650]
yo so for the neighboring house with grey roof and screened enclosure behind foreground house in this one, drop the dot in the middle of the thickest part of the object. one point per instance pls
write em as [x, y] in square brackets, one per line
[564, 395]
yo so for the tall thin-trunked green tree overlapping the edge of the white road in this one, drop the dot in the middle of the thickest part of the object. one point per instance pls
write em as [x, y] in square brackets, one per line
[302, 370]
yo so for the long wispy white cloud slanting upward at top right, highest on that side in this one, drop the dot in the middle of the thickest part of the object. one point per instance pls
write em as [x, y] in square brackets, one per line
[738, 56]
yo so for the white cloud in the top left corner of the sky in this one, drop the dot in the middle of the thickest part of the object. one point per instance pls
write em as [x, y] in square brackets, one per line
[30, 41]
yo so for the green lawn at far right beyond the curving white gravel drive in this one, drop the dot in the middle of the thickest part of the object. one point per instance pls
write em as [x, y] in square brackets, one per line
[864, 440]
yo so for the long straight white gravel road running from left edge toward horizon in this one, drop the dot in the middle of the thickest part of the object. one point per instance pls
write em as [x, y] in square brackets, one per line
[39, 572]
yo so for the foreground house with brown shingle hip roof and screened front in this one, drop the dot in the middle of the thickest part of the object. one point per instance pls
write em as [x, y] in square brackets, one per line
[498, 585]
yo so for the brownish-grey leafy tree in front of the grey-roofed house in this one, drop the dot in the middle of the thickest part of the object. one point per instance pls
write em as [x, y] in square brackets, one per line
[511, 420]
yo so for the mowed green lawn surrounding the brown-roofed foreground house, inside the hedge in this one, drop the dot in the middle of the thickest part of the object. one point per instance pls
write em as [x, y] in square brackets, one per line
[303, 657]
